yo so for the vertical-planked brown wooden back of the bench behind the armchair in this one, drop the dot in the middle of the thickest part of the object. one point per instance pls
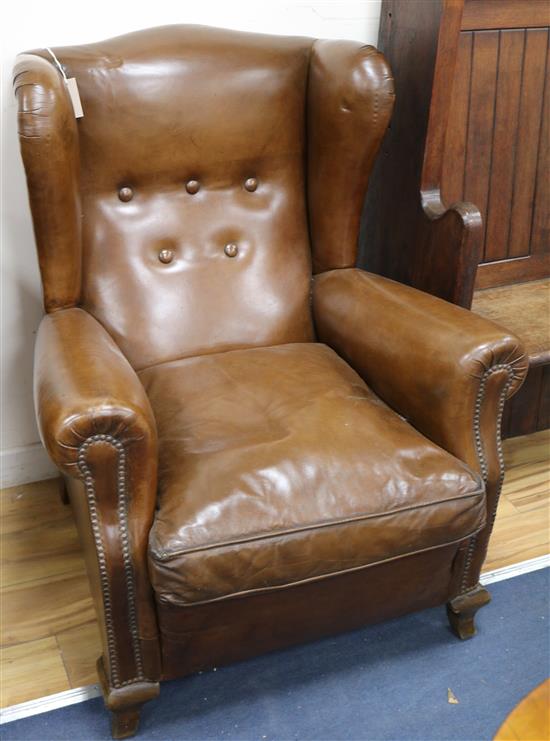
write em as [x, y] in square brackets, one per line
[502, 154]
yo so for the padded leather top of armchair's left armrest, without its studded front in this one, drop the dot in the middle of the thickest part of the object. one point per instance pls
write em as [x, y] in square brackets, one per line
[84, 387]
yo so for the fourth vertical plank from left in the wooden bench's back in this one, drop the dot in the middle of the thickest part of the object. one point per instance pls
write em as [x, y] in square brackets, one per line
[527, 146]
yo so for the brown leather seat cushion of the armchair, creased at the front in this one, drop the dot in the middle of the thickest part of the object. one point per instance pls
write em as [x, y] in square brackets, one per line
[278, 465]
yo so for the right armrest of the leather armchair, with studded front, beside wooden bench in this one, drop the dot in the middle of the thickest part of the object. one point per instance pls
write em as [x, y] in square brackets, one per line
[446, 370]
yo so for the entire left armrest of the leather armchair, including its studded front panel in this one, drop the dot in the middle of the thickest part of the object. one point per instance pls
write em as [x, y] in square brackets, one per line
[96, 422]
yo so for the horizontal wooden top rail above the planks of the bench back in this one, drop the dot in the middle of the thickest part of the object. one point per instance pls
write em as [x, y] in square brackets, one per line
[505, 14]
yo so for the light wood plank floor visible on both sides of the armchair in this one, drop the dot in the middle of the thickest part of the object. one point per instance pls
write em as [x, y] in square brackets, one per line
[49, 636]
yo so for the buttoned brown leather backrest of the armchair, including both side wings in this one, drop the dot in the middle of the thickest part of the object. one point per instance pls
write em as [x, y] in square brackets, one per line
[176, 210]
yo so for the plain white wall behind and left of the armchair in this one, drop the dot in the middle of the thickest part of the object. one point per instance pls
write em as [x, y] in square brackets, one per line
[38, 23]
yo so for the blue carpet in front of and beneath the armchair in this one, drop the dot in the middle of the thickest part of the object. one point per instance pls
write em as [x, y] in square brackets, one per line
[384, 682]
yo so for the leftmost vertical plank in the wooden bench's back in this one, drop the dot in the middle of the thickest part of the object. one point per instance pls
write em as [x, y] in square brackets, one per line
[454, 158]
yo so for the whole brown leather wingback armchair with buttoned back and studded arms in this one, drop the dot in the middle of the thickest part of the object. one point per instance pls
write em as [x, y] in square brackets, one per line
[255, 456]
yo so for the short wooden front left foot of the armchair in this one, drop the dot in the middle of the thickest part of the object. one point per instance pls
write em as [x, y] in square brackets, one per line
[125, 703]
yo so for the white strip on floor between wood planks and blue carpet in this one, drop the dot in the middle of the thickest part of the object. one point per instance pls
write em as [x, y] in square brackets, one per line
[80, 694]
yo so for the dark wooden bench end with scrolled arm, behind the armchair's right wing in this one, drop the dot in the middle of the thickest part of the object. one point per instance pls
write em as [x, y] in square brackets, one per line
[408, 232]
